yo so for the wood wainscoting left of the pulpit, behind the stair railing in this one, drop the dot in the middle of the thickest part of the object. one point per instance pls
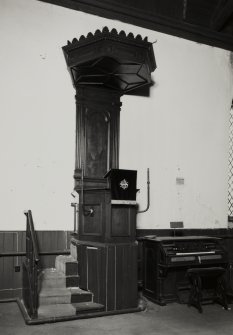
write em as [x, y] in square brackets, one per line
[12, 250]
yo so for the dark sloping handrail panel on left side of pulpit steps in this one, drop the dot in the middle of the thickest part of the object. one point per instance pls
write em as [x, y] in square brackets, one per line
[31, 269]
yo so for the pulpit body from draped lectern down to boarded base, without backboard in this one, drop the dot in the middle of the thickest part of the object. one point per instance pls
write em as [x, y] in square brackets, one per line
[106, 247]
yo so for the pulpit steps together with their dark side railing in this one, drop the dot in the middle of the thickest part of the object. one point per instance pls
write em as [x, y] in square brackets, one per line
[51, 295]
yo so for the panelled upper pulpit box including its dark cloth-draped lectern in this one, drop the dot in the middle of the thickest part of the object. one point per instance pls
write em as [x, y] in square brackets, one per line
[109, 214]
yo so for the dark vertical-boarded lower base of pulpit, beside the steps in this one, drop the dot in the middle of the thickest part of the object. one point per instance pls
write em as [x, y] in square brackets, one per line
[110, 272]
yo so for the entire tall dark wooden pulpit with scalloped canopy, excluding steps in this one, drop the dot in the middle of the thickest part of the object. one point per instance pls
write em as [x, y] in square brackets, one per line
[103, 67]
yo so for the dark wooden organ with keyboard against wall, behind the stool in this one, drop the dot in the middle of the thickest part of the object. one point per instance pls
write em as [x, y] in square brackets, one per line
[166, 260]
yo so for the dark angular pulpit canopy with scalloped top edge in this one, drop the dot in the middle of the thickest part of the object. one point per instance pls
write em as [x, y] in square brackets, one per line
[110, 59]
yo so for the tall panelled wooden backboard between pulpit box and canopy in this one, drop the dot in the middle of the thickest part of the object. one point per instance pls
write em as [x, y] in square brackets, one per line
[97, 135]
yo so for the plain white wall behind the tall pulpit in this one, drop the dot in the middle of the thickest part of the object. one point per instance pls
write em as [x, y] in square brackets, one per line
[180, 131]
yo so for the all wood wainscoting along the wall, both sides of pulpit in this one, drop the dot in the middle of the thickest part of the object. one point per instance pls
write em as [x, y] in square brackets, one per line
[51, 241]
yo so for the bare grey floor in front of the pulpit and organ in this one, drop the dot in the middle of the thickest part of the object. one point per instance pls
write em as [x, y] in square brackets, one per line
[168, 320]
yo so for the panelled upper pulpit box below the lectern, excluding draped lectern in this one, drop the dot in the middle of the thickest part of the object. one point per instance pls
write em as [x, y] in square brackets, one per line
[108, 223]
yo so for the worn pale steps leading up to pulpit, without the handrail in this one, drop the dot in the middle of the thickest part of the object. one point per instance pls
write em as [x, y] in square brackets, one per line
[59, 292]
